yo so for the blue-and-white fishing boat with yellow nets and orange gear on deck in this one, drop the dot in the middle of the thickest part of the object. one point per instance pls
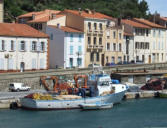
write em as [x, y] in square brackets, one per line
[102, 91]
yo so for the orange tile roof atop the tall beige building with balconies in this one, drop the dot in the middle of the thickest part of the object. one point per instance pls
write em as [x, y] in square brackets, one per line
[94, 15]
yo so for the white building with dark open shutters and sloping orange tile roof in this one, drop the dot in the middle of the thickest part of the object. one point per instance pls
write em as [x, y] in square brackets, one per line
[138, 48]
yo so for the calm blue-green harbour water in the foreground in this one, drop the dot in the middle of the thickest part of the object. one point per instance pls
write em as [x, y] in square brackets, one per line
[142, 113]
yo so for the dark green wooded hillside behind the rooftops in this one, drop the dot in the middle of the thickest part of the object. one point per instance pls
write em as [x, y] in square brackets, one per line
[115, 8]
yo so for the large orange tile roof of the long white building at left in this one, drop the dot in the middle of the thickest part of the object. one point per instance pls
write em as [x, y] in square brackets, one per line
[20, 30]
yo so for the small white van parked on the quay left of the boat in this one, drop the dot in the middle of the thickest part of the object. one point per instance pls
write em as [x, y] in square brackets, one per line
[18, 87]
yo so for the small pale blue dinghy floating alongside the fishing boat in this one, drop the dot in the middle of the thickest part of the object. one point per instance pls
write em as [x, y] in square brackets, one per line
[96, 106]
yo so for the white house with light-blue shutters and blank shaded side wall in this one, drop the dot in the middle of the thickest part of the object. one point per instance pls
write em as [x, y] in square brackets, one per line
[67, 47]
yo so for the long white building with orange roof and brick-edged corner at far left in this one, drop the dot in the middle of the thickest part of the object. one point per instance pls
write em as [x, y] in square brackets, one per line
[22, 48]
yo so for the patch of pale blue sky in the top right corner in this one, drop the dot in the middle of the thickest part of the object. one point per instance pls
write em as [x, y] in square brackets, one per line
[158, 5]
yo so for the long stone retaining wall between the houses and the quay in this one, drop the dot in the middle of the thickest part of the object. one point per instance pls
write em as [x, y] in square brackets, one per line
[33, 78]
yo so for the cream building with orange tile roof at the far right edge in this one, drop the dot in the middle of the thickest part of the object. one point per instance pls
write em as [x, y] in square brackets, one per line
[158, 41]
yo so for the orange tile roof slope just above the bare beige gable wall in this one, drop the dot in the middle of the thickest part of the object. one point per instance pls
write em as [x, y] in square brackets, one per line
[43, 19]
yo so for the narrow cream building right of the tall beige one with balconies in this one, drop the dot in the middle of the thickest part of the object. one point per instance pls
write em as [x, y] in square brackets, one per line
[114, 44]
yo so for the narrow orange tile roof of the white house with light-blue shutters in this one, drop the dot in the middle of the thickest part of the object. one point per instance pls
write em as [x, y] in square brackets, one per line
[67, 29]
